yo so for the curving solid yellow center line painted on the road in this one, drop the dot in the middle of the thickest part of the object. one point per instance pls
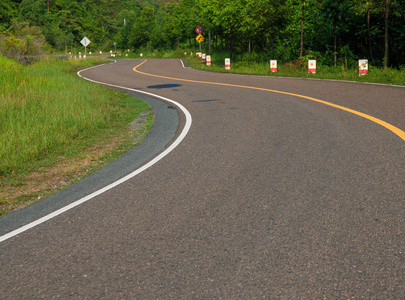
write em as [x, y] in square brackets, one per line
[390, 127]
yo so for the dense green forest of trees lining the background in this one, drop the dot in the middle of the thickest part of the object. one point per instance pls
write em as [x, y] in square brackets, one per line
[335, 32]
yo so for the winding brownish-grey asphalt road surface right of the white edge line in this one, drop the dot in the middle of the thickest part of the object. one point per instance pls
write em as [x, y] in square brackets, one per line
[269, 196]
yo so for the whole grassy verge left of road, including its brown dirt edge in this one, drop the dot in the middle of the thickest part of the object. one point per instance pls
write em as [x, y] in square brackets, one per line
[56, 128]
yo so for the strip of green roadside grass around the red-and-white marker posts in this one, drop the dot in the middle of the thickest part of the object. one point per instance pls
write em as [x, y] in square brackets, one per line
[296, 68]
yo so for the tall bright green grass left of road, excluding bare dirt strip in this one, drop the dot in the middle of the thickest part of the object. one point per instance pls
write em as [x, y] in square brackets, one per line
[45, 109]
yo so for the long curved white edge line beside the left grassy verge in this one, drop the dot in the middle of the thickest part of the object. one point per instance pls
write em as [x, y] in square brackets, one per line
[60, 211]
